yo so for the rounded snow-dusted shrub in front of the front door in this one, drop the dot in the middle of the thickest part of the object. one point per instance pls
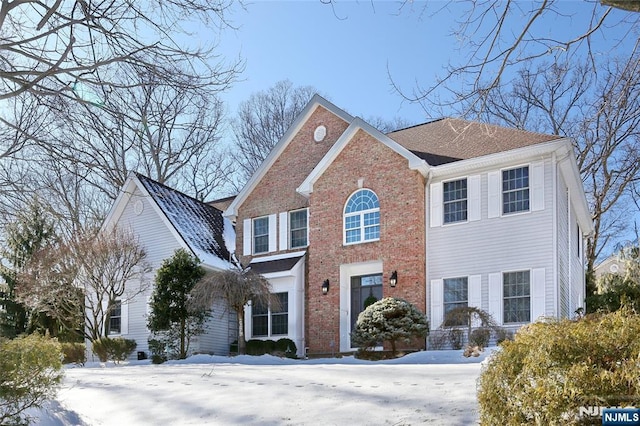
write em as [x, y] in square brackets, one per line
[389, 320]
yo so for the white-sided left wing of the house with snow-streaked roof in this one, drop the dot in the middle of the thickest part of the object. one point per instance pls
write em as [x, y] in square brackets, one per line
[165, 220]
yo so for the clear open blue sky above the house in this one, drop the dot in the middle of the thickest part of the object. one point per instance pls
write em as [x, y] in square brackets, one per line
[350, 51]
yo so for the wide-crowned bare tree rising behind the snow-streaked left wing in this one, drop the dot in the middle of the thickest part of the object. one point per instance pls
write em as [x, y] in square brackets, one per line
[167, 131]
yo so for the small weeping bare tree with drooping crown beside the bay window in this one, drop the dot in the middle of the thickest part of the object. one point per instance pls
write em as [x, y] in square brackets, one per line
[237, 287]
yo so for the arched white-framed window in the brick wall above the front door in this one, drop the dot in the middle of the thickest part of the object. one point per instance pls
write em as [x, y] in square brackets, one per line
[362, 217]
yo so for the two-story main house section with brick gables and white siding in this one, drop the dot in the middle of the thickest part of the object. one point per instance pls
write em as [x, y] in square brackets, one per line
[444, 214]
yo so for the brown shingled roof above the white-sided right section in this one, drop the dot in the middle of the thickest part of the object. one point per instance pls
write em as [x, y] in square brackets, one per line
[452, 139]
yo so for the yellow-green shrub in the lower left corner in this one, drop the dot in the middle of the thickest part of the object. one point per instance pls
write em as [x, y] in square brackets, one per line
[30, 373]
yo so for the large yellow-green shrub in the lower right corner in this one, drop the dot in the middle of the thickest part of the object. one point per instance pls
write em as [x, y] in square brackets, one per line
[552, 369]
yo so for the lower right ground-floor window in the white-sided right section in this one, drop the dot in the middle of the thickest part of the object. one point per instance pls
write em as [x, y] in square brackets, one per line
[517, 296]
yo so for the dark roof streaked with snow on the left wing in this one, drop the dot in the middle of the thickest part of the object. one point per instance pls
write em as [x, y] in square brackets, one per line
[201, 226]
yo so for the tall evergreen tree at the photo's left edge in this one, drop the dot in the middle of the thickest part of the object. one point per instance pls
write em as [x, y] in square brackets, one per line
[31, 231]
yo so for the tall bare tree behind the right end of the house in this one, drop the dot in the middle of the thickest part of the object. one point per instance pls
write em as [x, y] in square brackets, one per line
[603, 118]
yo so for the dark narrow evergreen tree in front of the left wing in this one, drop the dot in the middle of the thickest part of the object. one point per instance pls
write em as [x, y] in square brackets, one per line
[172, 315]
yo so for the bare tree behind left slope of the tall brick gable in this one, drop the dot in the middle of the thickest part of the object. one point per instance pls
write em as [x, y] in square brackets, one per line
[262, 120]
